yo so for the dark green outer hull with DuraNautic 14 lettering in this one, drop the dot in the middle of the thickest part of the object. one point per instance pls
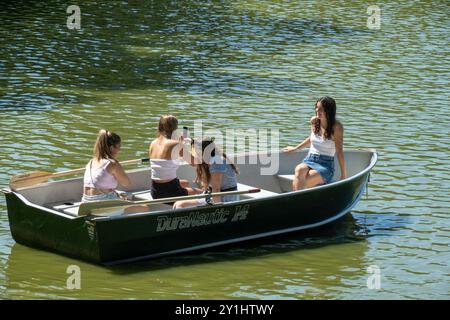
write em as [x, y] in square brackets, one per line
[110, 240]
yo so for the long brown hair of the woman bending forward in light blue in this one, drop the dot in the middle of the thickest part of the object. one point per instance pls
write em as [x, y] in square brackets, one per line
[203, 172]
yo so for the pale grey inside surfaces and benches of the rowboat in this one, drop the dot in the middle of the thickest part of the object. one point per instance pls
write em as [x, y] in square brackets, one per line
[273, 173]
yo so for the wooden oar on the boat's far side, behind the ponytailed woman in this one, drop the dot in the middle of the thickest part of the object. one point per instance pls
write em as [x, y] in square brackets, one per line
[36, 177]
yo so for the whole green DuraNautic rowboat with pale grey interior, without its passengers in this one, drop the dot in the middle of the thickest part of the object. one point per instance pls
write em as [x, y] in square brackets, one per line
[45, 216]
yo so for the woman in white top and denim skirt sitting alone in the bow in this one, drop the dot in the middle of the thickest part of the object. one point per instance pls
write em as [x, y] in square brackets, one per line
[326, 141]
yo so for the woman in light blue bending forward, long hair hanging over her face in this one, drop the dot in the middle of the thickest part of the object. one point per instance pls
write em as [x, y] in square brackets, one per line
[215, 172]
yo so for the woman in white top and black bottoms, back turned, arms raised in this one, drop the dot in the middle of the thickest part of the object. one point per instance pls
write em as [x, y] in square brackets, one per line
[164, 152]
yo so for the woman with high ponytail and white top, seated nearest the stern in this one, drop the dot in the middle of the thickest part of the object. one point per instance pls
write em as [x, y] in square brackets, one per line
[104, 173]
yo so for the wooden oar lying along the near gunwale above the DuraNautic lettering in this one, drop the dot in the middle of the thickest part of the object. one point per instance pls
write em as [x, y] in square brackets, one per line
[108, 206]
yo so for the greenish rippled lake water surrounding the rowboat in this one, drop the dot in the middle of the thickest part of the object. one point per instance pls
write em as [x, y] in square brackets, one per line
[239, 64]
